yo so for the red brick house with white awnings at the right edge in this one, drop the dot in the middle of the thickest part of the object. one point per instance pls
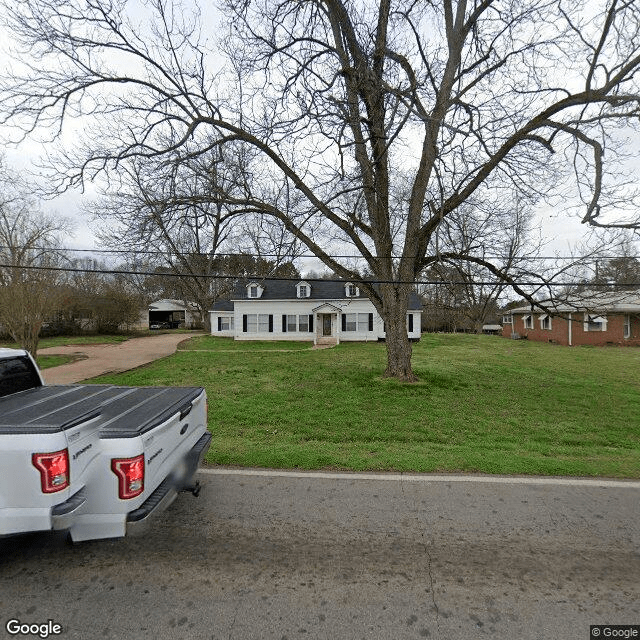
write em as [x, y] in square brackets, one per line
[594, 319]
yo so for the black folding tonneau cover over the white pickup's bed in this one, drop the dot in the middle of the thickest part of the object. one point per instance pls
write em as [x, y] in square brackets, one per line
[125, 412]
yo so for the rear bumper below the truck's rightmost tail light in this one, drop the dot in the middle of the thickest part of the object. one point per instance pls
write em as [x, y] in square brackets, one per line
[168, 489]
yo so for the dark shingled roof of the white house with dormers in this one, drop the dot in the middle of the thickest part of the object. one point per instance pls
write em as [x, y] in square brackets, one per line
[276, 289]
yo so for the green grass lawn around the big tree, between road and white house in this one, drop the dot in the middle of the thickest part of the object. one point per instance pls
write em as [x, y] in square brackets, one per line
[483, 404]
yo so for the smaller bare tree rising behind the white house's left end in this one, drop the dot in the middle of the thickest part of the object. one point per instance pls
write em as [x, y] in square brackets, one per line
[171, 213]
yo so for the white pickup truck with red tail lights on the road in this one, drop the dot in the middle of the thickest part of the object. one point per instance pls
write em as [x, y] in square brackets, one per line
[96, 460]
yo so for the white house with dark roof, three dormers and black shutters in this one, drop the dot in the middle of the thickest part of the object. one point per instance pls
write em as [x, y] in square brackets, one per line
[322, 311]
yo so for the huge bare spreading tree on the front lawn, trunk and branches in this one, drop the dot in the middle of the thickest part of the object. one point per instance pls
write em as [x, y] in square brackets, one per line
[367, 123]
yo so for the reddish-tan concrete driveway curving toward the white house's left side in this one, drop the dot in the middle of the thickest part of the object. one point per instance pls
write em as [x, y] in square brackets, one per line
[98, 359]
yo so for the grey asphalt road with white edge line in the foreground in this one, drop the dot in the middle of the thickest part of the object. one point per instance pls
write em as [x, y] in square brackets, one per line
[284, 556]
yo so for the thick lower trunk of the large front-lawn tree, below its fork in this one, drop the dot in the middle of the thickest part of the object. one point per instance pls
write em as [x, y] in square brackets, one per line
[395, 304]
